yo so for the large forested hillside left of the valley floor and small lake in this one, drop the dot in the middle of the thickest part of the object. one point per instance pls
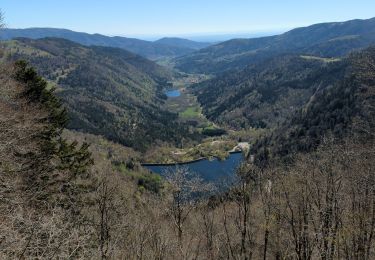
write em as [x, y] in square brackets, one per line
[108, 91]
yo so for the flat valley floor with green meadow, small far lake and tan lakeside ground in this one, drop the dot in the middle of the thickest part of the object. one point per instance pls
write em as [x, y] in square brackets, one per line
[182, 101]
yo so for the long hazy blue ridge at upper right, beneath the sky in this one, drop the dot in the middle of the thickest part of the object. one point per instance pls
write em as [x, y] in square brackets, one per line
[327, 39]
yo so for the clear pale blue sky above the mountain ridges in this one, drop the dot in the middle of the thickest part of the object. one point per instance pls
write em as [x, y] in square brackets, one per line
[194, 18]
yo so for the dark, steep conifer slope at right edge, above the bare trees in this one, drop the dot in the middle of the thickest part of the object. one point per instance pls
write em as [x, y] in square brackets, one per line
[347, 106]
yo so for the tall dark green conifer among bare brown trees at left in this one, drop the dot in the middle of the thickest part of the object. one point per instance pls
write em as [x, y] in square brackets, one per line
[54, 165]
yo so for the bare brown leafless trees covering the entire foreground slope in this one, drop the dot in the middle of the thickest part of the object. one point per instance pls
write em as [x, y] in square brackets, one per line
[321, 207]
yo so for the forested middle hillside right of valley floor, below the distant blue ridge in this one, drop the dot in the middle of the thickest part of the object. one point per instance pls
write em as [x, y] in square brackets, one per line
[264, 95]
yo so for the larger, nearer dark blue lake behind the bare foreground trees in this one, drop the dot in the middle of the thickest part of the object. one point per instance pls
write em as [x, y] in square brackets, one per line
[210, 171]
